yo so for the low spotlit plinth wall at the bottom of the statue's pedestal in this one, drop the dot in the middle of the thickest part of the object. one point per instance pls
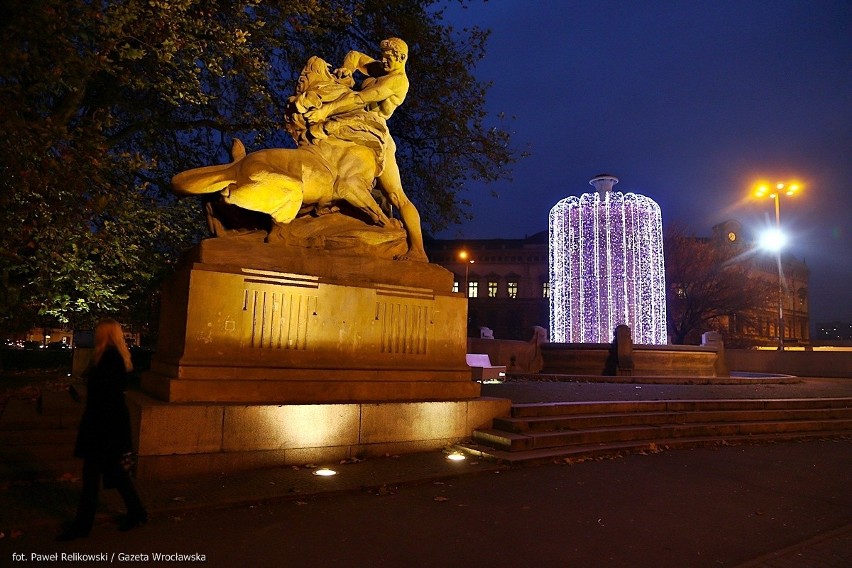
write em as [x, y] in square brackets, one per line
[180, 439]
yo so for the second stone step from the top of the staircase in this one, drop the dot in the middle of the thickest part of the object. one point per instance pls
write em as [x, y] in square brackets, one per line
[586, 421]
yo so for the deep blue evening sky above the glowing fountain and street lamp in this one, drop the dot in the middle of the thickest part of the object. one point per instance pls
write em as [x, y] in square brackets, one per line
[686, 102]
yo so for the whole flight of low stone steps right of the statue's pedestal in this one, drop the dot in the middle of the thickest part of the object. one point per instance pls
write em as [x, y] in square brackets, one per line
[540, 433]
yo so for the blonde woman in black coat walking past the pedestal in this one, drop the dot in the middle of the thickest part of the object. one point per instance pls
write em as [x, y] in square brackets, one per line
[104, 437]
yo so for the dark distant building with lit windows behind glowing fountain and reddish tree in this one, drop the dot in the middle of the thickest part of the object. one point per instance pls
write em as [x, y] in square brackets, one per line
[507, 283]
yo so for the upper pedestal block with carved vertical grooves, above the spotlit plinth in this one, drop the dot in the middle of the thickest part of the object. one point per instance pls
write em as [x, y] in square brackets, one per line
[255, 324]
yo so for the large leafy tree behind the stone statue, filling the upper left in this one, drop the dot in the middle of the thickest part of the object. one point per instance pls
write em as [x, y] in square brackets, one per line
[102, 102]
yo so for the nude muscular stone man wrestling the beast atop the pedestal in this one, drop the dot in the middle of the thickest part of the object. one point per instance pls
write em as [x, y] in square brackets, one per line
[381, 93]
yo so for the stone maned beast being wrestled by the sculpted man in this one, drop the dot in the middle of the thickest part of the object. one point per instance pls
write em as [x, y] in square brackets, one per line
[337, 160]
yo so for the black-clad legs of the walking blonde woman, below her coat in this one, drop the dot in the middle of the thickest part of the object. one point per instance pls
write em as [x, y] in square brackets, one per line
[94, 470]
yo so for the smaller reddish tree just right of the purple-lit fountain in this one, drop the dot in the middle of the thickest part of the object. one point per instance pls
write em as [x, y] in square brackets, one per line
[711, 283]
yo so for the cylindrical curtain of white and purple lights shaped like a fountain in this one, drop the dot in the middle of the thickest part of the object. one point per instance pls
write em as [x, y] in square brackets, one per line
[606, 267]
